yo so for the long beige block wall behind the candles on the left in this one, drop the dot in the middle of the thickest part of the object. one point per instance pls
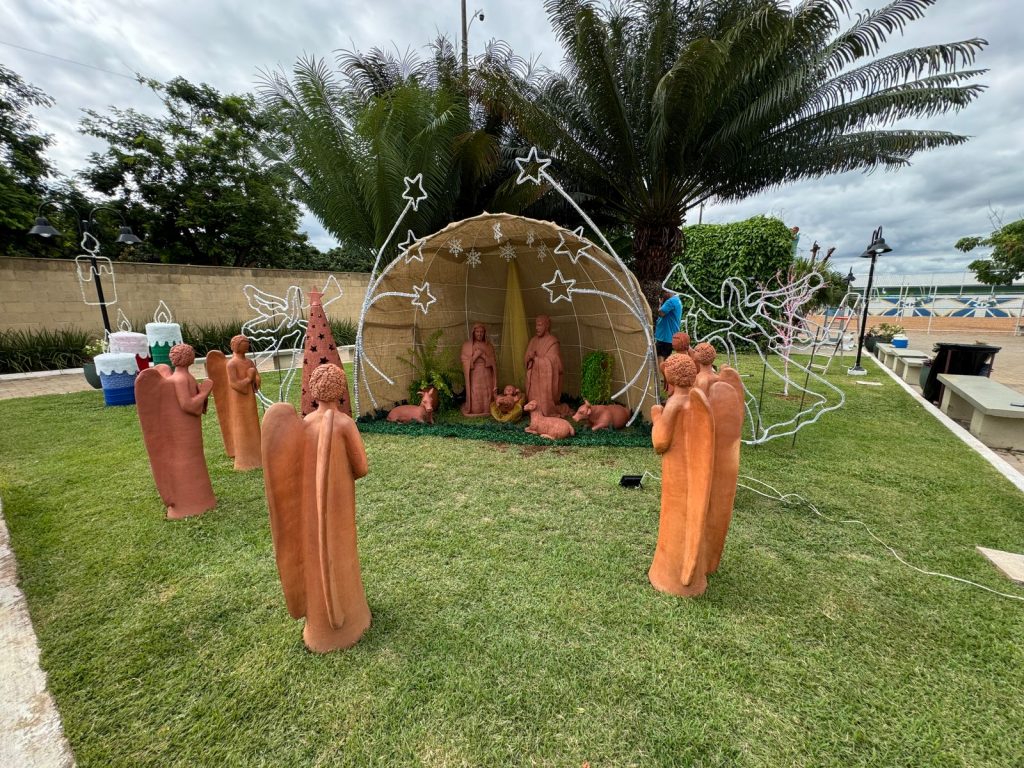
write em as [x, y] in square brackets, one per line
[38, 294]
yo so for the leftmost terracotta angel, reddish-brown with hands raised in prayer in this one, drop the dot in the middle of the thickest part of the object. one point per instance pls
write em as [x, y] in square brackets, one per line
[170, 411]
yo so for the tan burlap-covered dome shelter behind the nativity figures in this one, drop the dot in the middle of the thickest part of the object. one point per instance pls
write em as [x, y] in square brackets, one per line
[504, 271]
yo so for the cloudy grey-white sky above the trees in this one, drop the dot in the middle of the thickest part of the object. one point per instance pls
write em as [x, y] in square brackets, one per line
[946, 194]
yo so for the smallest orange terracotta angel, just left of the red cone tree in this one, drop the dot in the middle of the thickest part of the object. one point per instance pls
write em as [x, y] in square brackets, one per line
[236, 382]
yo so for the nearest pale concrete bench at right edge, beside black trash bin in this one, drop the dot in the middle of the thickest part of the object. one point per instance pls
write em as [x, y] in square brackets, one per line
[996, 420]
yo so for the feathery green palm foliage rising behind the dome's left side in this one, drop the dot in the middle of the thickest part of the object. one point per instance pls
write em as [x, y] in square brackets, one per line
[350, 137]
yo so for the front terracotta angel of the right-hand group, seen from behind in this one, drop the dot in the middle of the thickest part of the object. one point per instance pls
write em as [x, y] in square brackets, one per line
[698, 437]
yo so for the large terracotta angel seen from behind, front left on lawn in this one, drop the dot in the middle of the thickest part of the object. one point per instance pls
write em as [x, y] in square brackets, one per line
[310, 471]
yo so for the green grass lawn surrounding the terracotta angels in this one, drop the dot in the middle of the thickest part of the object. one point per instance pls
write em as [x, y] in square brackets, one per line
[514, 622]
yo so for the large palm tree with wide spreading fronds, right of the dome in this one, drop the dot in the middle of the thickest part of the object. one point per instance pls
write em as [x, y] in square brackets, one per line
[662, 105]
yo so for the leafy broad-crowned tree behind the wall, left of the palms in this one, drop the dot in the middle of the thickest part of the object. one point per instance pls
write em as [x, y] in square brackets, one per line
[195, 182]
